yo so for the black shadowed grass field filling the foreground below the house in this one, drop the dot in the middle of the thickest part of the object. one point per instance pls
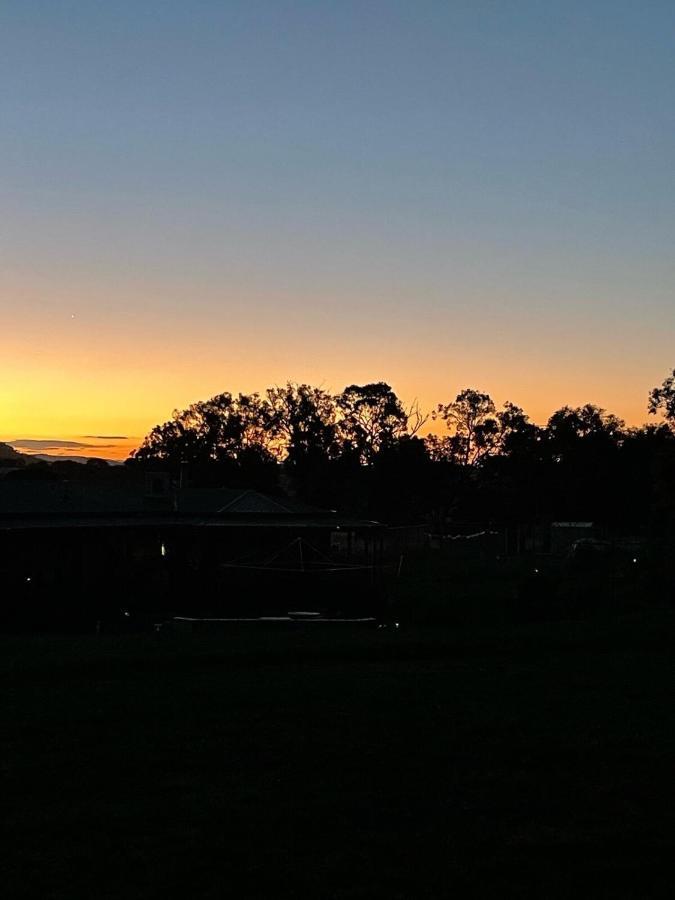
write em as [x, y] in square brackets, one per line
[535, 762]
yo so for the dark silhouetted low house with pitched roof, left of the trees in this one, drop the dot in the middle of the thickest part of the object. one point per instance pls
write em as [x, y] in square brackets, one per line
[78, 554]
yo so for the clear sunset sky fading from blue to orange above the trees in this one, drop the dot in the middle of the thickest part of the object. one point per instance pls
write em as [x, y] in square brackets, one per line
[206, 196]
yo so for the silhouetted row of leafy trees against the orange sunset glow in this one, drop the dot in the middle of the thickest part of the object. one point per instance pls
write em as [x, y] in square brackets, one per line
[361, 450]
